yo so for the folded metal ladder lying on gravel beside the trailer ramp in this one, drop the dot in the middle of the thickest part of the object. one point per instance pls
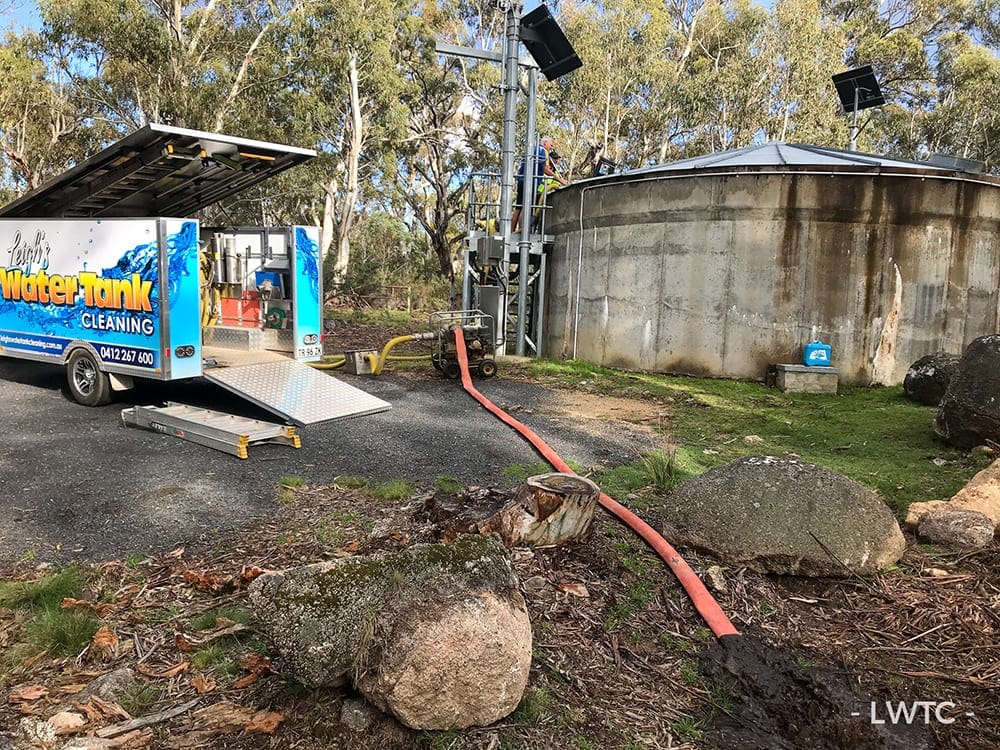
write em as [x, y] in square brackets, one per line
[213, 429]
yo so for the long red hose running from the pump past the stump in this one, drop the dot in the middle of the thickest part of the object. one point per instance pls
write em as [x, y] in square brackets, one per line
[702, 600]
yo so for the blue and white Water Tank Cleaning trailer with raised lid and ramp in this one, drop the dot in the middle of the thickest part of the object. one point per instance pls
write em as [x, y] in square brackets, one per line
[100, 273]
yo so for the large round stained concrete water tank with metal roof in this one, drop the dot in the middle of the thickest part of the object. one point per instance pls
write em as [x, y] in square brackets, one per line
[725, 264]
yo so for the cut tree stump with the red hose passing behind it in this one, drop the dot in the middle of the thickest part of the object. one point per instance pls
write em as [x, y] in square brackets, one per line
[548, 509]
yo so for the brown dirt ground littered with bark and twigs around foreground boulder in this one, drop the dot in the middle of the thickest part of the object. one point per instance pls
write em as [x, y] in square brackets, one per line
[621, 660]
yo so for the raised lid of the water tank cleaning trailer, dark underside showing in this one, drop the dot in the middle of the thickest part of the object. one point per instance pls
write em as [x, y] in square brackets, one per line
[158, 170]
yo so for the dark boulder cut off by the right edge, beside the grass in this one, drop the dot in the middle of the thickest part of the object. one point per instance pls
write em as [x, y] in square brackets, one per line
[969, 413]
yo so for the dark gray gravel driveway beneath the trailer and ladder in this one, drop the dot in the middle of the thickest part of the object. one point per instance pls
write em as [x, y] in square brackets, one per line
[75, 483]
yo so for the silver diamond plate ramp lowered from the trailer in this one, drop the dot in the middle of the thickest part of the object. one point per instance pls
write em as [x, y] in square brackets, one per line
[296, 391]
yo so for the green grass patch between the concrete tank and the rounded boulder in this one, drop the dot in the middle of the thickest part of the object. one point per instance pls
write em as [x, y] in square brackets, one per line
[875, 436]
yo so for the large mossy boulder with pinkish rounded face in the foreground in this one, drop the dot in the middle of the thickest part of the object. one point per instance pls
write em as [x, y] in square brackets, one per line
[437, 634]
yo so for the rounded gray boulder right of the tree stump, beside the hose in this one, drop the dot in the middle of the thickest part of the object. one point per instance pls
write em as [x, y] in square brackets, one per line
[781, 515]
